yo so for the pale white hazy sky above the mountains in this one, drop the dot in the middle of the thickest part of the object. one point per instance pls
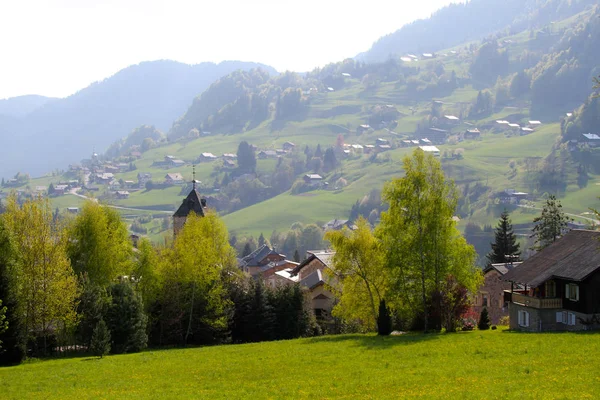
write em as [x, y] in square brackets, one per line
[56, 47]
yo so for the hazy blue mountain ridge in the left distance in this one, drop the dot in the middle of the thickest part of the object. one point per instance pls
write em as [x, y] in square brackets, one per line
[64, 131]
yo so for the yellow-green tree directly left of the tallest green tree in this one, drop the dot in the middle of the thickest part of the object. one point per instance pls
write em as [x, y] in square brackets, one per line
[358, 264]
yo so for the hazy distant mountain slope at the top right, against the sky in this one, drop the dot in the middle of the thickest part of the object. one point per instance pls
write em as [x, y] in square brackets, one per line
[462, 23]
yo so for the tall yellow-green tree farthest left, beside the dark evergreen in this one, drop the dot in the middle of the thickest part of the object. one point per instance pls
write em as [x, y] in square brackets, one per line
[47, 288]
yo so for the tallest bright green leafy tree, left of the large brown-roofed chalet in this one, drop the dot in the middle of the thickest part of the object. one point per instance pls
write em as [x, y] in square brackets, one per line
[420, 240]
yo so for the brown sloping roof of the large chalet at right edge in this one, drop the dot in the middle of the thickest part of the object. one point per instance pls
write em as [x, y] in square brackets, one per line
[573, 257]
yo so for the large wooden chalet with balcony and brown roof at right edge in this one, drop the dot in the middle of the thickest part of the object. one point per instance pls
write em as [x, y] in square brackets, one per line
[561, 286]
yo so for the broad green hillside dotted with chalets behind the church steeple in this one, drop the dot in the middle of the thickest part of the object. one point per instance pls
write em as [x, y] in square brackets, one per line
[500, 78]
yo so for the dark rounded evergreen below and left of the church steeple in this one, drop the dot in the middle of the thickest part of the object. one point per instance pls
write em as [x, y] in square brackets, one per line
[126, 320]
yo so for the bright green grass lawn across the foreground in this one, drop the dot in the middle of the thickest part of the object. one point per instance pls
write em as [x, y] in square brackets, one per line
[489, 364]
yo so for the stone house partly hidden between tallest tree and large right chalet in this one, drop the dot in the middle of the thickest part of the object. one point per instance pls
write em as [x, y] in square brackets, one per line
[491, 294]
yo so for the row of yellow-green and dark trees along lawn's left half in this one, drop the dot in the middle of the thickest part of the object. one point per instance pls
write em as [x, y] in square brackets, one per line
[78, 284]
